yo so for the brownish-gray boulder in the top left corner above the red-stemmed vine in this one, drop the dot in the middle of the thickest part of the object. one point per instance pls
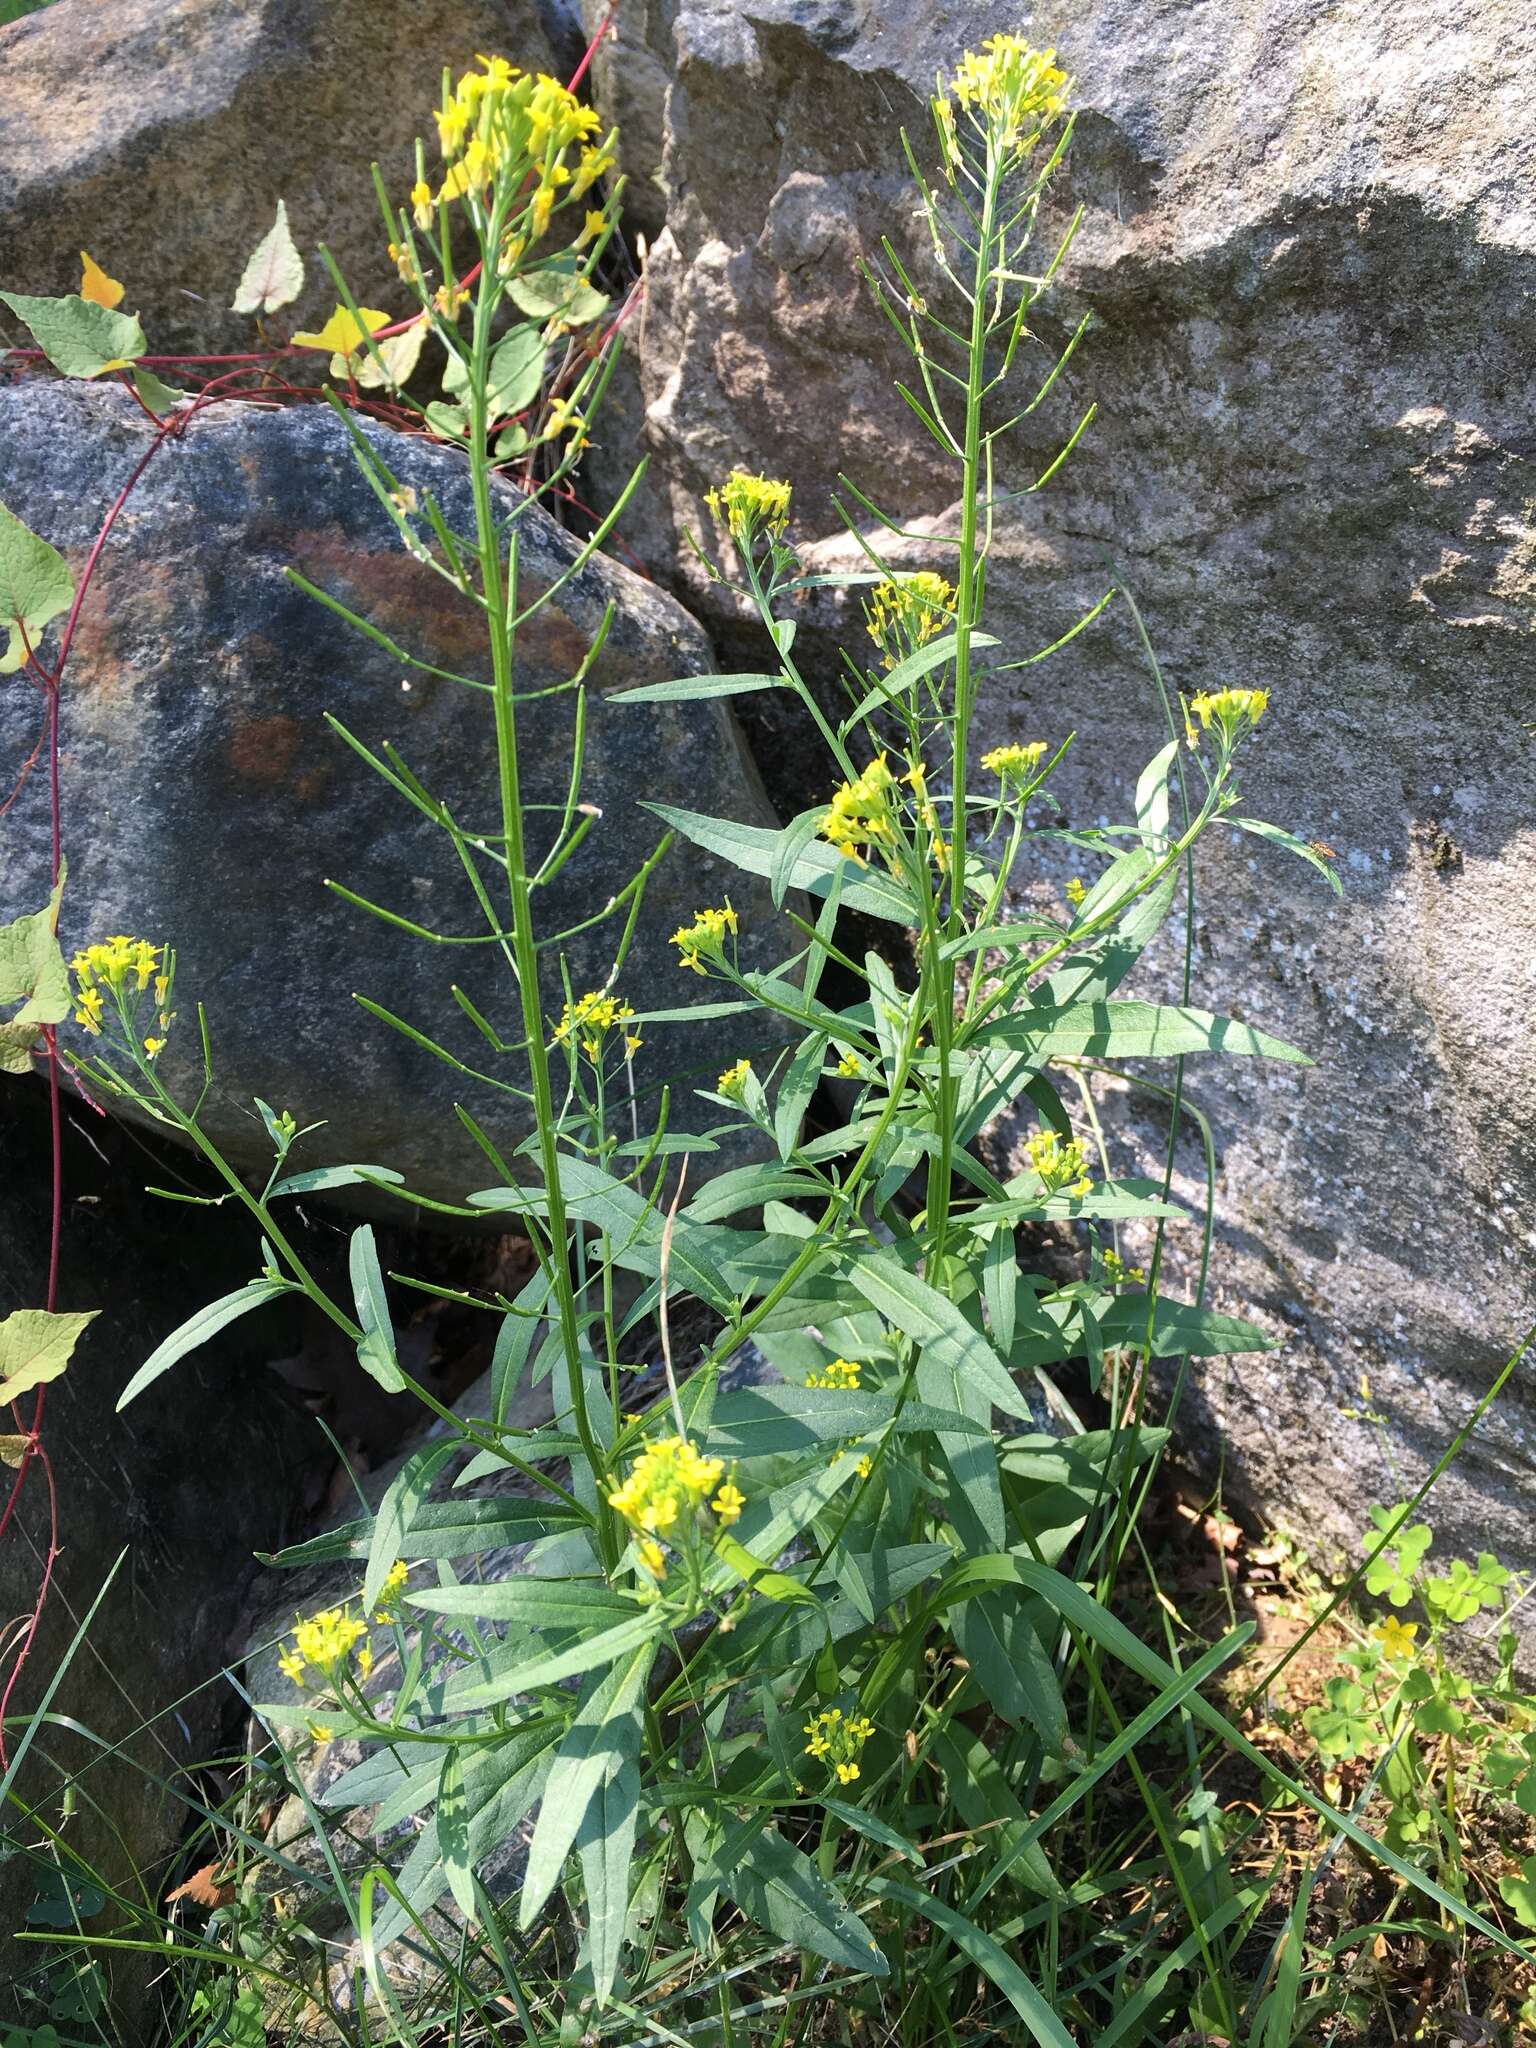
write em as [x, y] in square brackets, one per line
[161, 134]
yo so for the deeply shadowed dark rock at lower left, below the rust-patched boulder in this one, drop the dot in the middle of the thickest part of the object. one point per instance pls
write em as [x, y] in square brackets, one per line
[159, 1512]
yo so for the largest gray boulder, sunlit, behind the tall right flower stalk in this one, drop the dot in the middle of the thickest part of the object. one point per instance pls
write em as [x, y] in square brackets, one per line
[1310, 247]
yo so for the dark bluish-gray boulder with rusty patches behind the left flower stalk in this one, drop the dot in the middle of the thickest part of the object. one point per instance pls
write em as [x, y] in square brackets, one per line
[206, 798]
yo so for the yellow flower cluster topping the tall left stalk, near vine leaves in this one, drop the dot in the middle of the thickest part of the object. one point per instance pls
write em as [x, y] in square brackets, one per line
[507, 120]
